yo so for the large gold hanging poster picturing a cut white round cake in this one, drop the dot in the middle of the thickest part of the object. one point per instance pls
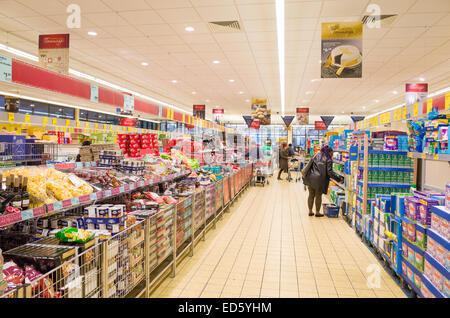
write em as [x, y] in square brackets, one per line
[341, 50]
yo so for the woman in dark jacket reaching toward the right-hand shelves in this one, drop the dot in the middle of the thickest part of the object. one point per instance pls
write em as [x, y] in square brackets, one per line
[318, 177]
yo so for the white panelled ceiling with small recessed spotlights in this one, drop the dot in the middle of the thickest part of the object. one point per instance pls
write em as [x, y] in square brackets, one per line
[416, 45]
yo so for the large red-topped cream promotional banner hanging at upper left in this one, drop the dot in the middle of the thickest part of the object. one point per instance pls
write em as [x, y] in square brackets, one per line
[54, 52]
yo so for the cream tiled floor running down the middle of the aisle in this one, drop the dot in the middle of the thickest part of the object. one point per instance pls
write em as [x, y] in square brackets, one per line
[269, 247]
